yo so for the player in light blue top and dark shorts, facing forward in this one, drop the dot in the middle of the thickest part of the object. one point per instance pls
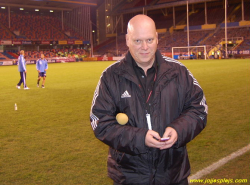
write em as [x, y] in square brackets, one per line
[41, 66]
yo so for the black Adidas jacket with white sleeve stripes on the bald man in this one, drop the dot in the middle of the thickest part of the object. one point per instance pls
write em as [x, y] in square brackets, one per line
[177, 101]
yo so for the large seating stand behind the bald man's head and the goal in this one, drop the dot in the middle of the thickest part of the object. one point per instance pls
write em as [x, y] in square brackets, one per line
[200, 33]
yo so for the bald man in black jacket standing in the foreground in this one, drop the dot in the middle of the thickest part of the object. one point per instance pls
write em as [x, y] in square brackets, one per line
[166, 109]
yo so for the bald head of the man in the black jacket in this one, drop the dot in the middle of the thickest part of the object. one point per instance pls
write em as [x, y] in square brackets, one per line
[142, 40]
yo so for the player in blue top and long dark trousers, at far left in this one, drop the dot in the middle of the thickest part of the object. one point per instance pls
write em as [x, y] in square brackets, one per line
[22, 70]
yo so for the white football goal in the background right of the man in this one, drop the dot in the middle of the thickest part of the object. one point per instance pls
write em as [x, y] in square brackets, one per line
[190, 52]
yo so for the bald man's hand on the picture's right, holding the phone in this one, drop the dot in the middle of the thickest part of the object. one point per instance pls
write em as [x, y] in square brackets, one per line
[169, 132]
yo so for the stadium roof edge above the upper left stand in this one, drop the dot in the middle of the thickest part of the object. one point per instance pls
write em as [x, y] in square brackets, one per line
[48, 4]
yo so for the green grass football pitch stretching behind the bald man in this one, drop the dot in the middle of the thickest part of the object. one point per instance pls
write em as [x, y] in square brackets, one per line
[49, 140]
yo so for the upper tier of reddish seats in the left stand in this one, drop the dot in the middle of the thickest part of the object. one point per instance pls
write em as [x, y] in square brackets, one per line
[35, 27]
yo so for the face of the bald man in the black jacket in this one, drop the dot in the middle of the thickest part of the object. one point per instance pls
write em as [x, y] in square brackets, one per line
[142, 43]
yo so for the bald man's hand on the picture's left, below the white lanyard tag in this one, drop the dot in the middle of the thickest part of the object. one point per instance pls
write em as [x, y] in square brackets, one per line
[151, 139]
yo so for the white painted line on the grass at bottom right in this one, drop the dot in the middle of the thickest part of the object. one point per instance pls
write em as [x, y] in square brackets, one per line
[219, 163]
